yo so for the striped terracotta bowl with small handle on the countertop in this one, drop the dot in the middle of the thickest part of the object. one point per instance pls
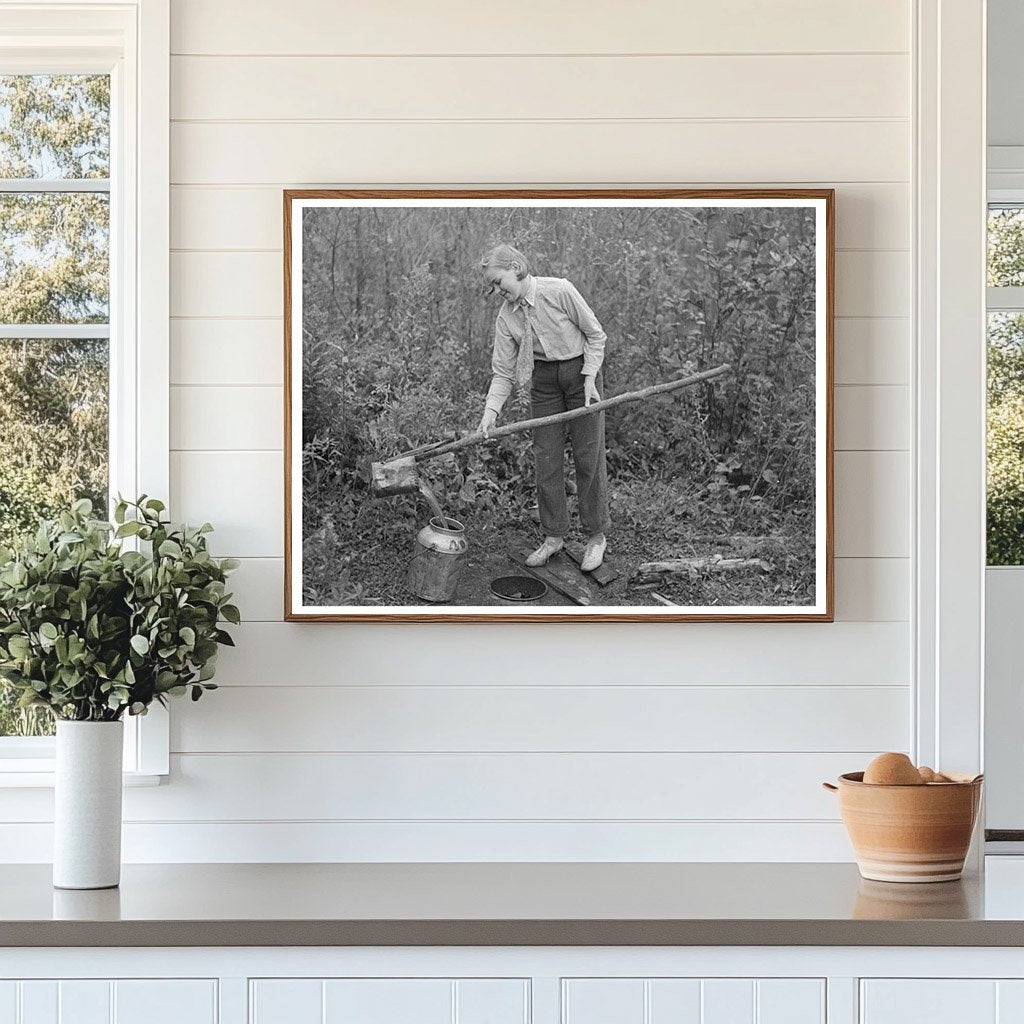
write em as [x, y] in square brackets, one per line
[909, 833]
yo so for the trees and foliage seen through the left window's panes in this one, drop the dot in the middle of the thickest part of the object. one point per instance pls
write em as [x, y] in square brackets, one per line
[55, 317]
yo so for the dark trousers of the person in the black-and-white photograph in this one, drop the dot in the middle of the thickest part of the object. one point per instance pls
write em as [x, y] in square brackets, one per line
[558, 388]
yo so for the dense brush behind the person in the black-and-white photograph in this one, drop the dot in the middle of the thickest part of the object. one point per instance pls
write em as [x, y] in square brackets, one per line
[397, 351]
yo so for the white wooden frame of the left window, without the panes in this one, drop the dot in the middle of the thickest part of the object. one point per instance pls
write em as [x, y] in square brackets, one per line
[131, 41]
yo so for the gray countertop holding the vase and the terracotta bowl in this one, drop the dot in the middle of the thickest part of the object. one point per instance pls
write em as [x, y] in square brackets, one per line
[507, 905]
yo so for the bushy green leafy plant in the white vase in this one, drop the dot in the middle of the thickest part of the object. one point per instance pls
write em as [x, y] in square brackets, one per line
[92, 630]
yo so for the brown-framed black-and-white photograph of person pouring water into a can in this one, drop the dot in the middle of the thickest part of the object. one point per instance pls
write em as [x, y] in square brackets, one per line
[559, 405]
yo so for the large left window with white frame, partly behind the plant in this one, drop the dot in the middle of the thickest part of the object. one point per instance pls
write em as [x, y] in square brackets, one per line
[84, 125]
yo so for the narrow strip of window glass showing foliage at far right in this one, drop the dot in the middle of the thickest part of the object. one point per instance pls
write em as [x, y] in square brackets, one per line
[1006, 385]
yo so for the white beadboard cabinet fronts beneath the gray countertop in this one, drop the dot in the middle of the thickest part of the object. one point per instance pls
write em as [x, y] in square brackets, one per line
[514, 986]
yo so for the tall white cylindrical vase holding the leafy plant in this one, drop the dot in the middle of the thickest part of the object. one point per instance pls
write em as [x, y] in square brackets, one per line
[88, 805]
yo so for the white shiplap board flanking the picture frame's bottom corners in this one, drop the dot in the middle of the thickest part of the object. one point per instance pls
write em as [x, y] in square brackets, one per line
[867, 589]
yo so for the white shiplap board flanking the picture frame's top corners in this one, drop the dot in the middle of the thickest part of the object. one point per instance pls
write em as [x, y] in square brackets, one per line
[868, 217]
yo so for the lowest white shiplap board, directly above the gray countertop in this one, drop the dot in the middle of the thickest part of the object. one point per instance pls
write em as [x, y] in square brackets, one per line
[328, 842]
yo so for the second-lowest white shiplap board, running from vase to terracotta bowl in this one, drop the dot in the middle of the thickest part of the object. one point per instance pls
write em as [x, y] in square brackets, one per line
[474, 787]
